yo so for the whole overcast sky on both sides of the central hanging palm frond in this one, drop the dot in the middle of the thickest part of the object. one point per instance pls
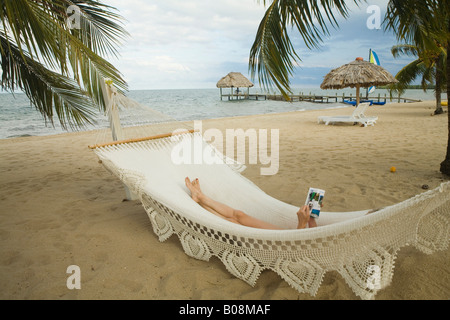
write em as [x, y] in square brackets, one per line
[184, 44]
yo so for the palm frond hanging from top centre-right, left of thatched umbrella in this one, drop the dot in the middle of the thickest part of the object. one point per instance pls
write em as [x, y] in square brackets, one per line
[273, 56]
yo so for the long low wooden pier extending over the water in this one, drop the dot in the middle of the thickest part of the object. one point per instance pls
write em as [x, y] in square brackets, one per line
[313, 97]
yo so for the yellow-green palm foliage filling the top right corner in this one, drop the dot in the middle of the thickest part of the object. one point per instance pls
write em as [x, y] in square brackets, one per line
[425, 25]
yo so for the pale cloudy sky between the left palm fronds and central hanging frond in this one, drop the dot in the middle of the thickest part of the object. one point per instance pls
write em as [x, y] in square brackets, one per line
[196, 38]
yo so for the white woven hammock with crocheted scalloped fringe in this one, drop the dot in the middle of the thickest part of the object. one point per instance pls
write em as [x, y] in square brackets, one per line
[361, 247]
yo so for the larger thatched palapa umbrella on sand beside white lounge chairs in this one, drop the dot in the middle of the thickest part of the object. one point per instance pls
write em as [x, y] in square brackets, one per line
[358, 73]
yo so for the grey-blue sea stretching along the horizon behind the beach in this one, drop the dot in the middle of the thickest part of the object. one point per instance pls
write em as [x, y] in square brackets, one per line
[18, 118]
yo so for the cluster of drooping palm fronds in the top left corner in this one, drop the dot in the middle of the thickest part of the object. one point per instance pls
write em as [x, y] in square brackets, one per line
[36, 37]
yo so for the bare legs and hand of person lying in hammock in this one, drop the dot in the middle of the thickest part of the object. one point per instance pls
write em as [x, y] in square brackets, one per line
[239, 217]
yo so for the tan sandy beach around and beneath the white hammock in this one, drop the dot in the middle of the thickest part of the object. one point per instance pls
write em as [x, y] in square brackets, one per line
[60, 207]
